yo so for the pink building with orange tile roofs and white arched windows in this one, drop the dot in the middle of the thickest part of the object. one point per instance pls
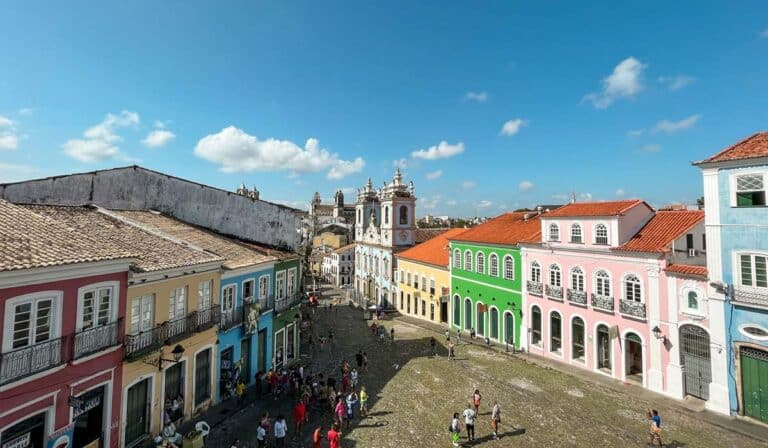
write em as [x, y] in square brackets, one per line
[600, 288]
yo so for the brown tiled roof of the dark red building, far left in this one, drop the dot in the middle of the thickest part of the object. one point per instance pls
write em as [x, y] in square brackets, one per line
[29, 240]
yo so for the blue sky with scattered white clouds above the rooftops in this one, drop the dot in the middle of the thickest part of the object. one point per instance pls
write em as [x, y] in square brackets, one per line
[486, 106]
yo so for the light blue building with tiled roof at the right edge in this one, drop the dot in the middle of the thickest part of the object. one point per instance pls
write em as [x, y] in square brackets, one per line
[735, 190]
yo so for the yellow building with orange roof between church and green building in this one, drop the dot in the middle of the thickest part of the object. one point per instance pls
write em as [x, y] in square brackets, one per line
[424, 279]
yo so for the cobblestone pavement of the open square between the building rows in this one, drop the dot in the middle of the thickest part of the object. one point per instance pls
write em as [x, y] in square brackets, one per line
[413, 395]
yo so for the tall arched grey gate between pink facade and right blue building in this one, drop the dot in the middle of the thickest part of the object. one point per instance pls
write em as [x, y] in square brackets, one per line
[695, 361]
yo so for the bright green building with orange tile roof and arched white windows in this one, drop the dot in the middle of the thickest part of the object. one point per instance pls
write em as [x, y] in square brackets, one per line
[486, 276]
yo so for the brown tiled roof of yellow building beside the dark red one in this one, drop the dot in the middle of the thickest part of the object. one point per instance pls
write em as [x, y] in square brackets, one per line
[154, 252]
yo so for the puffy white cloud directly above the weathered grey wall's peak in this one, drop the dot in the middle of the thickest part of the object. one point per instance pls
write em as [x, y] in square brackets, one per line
[100, 142]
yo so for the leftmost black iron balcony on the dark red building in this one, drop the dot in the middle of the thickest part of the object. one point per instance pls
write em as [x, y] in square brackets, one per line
[29, 360]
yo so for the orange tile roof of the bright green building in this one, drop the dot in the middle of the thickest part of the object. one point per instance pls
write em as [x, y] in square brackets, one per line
[510, 228]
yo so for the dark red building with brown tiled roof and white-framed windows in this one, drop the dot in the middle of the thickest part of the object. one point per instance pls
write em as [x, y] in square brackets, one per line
[62, 299]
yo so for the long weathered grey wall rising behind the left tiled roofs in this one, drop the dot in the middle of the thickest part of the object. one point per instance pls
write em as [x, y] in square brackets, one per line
[136, 188]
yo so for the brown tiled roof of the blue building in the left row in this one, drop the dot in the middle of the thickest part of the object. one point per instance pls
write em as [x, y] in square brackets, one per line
[235, 255]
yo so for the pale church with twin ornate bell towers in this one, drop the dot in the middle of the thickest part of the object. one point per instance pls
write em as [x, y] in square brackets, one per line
[385, 223]
